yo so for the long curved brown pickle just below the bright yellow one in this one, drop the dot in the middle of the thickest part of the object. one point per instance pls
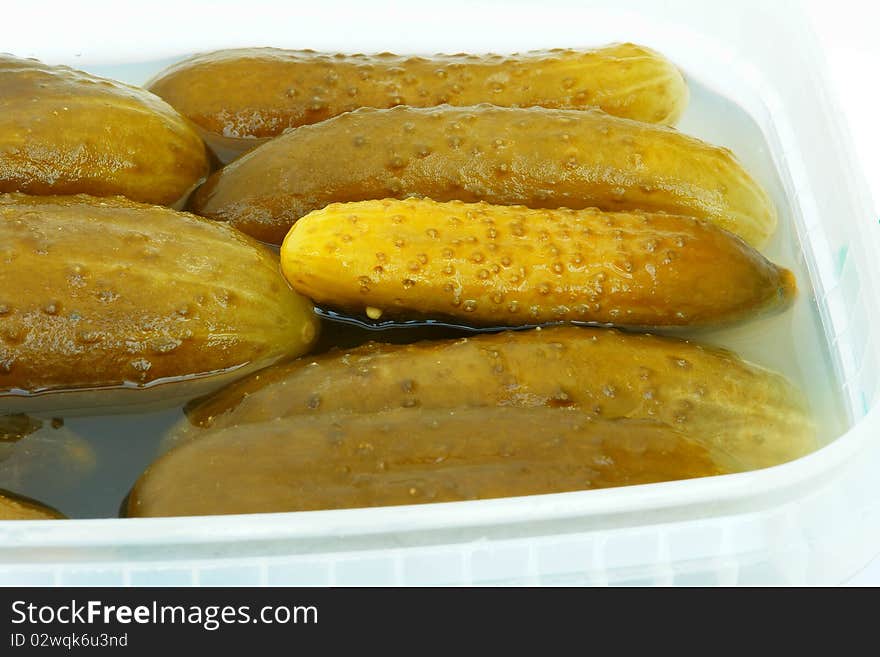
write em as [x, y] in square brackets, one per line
[755, 415]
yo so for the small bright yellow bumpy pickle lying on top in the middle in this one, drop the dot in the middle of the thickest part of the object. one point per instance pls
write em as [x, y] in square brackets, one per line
[496, 265]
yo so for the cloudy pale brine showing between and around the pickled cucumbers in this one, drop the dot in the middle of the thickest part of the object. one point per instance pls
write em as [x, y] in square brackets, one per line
[85, 466]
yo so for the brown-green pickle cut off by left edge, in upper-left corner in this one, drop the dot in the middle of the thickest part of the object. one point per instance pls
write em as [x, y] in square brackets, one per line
[63, 131]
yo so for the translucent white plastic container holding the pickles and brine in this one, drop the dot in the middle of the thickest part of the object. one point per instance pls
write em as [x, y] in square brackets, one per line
[815, 520]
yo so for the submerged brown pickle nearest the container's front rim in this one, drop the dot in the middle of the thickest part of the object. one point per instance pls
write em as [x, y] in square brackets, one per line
[333, 460]
